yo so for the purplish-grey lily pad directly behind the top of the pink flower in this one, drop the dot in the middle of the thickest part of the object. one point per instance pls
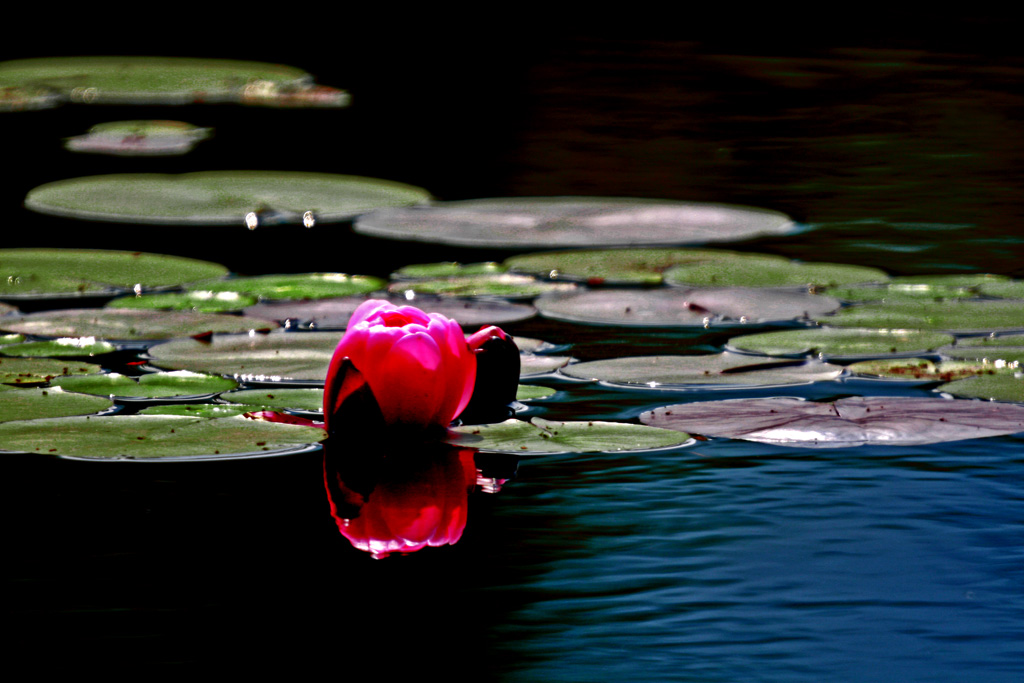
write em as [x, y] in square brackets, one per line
[334, 314]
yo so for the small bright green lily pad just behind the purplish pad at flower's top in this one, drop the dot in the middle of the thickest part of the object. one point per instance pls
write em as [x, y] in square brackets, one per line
[302, 286]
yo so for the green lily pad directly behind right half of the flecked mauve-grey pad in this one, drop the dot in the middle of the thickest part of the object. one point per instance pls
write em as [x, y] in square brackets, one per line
[762, 271]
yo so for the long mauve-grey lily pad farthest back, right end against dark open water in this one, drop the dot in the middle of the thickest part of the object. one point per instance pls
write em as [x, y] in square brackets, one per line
[573, 222]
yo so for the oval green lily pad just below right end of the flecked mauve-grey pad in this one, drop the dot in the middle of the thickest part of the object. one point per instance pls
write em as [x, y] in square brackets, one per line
[835, 344]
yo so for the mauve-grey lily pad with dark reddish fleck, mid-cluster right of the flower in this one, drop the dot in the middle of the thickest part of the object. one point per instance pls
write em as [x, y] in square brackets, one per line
[678, 308]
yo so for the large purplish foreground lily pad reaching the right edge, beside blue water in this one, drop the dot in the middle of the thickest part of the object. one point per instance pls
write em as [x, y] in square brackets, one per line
[848, 422]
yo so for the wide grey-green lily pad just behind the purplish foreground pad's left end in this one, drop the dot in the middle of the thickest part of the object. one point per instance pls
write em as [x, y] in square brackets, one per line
[718, 369]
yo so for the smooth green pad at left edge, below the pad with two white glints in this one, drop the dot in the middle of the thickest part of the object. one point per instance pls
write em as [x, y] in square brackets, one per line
[35, 273]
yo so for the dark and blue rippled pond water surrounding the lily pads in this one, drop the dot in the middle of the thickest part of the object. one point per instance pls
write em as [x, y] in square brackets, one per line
[720, 562]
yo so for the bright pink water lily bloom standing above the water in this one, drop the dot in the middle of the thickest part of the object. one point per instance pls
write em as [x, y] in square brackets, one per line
[418, 366]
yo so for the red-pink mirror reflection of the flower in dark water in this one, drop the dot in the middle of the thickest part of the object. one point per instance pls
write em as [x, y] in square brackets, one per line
[412, 505]
